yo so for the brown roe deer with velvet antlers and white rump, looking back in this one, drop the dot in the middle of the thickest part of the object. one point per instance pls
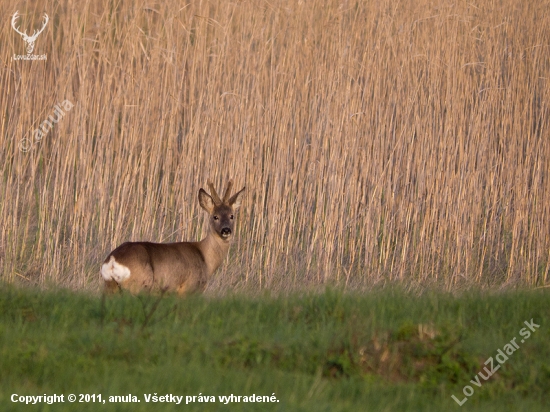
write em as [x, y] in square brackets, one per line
[183, 267]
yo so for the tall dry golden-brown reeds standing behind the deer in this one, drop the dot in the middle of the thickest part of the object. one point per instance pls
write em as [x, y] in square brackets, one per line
[379, 141]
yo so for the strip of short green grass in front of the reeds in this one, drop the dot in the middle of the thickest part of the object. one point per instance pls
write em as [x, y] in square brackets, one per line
[381, 351]
